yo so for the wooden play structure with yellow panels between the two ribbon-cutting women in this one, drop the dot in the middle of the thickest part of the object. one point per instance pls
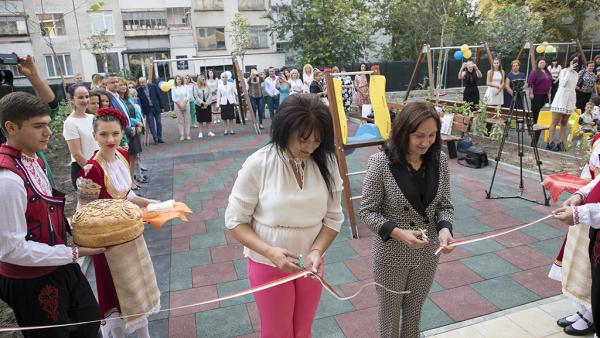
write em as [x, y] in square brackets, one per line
[367, 135]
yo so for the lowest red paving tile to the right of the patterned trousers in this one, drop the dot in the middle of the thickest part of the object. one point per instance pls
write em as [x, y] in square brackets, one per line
[462, 303]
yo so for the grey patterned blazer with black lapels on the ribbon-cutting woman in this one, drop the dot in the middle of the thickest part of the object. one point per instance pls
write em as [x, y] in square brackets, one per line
[391, 199]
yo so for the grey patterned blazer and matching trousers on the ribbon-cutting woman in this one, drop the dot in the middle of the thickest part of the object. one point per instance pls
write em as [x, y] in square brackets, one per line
[396, 196]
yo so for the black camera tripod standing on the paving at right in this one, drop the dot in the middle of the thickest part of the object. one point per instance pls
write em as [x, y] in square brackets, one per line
[523, 120]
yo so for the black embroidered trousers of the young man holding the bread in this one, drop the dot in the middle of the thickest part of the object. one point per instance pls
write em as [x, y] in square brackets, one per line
[61, 297]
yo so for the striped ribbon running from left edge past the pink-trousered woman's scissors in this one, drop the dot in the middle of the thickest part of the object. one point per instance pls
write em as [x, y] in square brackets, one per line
[289, 278]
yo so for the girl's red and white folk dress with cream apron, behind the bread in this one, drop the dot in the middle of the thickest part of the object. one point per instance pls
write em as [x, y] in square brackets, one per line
[125, 276]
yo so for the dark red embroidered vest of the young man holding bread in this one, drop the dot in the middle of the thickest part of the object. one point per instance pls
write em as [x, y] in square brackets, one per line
[46, 222]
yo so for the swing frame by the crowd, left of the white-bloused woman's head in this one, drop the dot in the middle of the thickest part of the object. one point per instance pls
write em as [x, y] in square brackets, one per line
[241, 86]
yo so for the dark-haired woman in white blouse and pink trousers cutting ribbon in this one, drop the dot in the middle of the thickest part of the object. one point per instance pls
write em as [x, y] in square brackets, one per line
[285, 206]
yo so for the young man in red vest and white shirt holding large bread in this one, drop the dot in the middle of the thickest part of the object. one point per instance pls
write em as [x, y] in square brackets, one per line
[39, 277]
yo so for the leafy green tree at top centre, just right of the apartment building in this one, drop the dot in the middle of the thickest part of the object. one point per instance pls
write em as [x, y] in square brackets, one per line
[325, 32]
